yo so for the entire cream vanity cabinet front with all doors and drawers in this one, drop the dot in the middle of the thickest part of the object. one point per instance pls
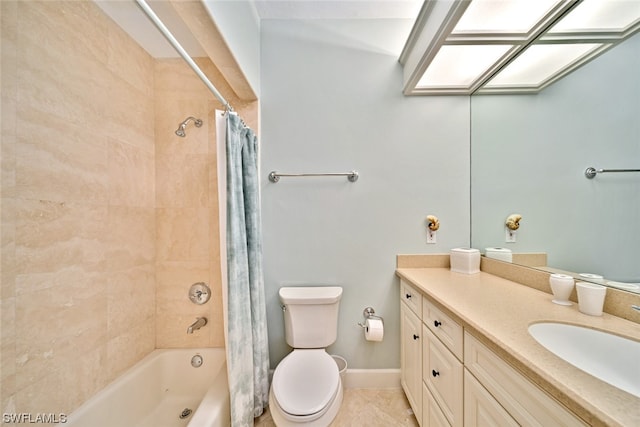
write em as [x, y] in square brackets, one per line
[451, 379]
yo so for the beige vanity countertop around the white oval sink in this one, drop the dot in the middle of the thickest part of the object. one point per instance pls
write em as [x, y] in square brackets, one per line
[499, 311]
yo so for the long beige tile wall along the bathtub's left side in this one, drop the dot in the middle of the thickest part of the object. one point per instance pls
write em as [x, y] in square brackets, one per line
[78, 204]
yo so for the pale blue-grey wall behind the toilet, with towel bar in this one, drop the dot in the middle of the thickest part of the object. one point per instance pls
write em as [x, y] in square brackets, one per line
[331, 101]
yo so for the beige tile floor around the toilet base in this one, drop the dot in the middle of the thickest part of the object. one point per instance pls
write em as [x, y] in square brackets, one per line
[366, 407]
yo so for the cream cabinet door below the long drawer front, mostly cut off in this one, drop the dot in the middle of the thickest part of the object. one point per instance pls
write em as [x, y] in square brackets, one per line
[480, 408]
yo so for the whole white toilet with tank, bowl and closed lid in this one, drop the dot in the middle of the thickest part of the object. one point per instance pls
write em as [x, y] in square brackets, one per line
[306, 388]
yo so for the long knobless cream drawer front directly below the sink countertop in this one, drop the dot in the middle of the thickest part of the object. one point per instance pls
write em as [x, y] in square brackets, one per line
[525, 402]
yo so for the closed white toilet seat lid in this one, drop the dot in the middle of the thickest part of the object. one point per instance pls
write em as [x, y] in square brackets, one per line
[305, 383]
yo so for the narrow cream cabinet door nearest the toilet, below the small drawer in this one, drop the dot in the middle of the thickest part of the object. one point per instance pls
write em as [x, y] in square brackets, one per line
[411, 358]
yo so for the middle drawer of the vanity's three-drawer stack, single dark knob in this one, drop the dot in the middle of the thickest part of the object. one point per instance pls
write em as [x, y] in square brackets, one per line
[442, 374]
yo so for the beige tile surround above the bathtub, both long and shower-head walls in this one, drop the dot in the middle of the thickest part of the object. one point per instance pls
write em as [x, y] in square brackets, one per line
[106, 216]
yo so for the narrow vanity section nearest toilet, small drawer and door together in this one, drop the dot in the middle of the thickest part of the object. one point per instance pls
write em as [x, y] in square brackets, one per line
[411, 346]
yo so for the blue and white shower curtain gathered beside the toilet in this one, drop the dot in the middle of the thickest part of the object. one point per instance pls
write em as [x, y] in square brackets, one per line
[246, 326]
